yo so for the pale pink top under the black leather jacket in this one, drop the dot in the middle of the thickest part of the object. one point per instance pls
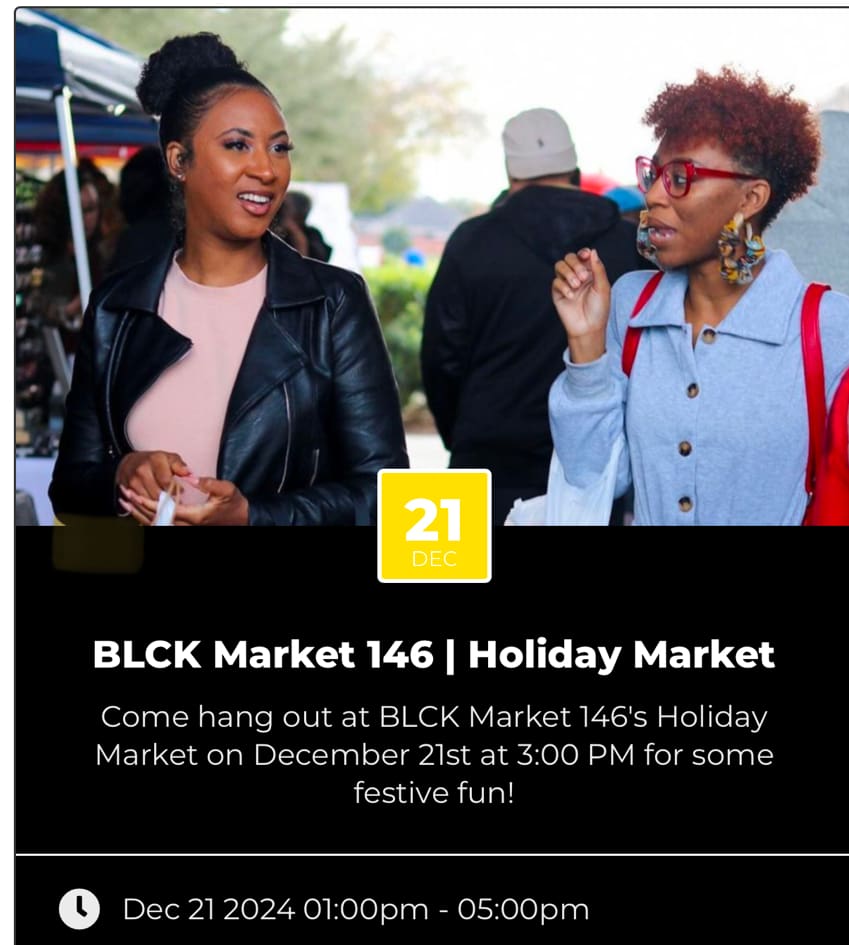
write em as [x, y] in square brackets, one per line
[184, 410]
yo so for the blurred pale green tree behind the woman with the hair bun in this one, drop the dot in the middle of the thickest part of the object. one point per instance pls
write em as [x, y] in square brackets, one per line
[348, 123]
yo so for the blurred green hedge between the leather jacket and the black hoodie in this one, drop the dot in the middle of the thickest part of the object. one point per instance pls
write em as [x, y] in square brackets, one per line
[399, 292]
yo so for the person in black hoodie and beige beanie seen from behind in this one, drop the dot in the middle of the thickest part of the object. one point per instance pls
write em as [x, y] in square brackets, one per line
[492, 344]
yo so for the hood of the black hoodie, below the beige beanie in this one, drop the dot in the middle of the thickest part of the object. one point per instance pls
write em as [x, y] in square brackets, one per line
[552, 221]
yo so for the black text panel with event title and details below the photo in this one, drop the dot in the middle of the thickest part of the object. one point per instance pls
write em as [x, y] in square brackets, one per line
[252, 738]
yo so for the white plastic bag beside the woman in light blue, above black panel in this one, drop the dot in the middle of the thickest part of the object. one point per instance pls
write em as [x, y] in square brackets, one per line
[565, 504]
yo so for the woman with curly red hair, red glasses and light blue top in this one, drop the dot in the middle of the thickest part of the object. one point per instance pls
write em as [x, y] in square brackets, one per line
[710, 395]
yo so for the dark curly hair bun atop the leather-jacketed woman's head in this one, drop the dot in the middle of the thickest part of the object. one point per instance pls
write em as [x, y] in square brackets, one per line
[176, 62]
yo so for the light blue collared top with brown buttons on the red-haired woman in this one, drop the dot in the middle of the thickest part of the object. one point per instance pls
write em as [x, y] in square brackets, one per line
[716, 434]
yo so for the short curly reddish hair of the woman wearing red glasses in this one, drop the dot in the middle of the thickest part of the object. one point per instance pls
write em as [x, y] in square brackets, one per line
[766, 131]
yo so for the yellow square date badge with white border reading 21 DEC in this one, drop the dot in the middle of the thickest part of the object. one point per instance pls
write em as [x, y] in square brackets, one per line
[434, 525]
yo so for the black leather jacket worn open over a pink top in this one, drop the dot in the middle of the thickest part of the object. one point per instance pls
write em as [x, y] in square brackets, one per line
[314, 411]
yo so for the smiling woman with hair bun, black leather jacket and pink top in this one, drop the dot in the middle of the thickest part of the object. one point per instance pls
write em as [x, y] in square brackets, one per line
[278, 418]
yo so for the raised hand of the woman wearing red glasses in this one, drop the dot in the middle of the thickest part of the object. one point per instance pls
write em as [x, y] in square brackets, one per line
[581, 295]
